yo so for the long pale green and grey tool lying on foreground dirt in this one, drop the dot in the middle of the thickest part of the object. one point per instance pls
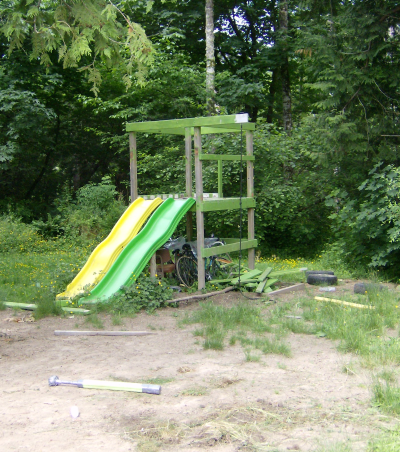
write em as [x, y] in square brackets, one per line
[113, 385]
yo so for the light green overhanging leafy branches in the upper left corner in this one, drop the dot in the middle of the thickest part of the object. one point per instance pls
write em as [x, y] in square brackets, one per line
[85, 35]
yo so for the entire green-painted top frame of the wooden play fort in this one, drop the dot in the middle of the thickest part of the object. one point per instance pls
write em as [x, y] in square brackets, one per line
[208, 124]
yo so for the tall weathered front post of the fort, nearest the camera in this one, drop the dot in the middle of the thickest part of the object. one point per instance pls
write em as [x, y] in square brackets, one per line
[201, 271]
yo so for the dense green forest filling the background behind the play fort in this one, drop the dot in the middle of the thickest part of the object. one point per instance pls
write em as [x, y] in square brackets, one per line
[320, 78]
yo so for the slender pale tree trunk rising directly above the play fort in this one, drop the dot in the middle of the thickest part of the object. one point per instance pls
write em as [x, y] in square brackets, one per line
[210, 58]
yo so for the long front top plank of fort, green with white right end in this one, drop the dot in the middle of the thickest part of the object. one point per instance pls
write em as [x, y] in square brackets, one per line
[208, 121]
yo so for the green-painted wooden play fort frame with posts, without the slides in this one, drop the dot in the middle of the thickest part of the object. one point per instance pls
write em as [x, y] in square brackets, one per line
[192, 130]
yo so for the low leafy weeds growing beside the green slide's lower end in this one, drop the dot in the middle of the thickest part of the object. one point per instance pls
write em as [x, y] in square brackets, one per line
[145, 293]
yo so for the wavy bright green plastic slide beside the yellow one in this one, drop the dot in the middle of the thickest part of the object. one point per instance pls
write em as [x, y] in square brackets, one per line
[134, 257]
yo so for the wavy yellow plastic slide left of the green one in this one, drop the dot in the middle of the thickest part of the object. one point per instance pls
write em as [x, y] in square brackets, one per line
[105, 254]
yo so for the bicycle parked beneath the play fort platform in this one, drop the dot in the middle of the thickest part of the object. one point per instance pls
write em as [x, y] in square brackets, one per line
[186, 264]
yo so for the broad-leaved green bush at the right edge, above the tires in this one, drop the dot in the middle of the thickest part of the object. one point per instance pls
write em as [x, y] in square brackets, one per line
[367, 225]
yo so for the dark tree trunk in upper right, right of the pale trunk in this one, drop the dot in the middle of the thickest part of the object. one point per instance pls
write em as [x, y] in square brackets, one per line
[286, 96]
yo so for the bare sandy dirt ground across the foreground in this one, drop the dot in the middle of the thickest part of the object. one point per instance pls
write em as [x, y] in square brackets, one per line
[209, 399]
